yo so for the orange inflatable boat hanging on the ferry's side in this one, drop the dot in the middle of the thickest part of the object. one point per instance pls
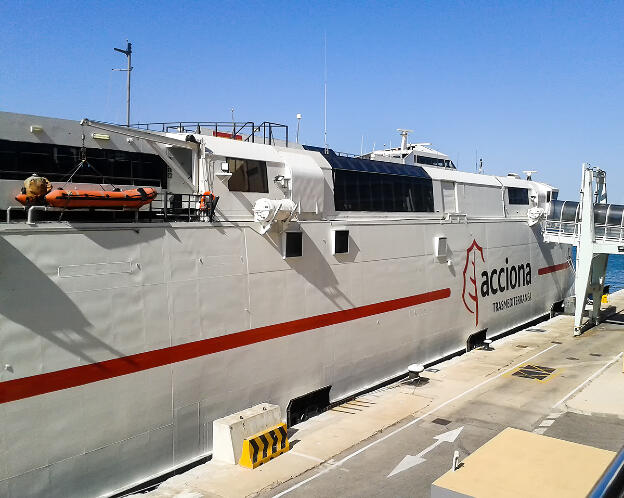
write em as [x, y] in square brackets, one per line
[131, 199]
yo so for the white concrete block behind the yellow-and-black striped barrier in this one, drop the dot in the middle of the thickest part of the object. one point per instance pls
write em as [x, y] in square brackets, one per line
[229, 432]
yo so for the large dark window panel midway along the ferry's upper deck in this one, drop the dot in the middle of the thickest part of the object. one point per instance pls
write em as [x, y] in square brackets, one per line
[361, 191]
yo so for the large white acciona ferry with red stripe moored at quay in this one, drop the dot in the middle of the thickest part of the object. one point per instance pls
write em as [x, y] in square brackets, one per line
[262, 271]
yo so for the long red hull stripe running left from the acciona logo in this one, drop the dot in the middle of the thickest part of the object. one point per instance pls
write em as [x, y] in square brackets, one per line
[36, 385]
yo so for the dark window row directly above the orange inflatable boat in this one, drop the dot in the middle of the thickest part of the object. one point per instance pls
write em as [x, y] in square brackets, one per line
[56, 162]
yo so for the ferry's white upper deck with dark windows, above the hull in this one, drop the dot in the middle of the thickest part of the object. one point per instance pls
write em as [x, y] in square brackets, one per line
[242, 163]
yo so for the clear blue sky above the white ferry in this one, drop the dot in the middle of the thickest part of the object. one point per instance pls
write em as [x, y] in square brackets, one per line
[529, 85]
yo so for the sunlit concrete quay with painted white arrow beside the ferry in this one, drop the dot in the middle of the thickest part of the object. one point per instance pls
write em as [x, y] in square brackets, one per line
[541, 380]
